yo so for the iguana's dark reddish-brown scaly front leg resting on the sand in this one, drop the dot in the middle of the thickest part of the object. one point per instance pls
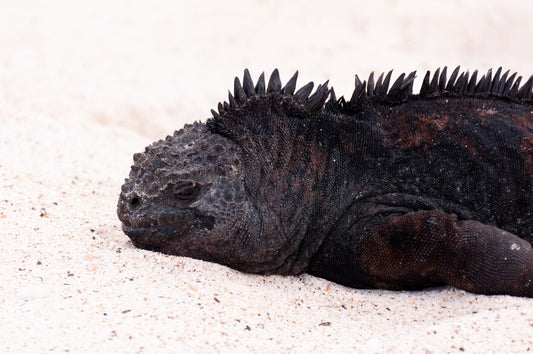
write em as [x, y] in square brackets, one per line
[435, 246]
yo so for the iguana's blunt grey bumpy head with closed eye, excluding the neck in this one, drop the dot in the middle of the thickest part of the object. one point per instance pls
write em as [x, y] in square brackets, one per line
[184, 195]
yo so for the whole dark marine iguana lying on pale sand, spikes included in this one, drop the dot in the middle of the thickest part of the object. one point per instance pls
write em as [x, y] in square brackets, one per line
[388, 189]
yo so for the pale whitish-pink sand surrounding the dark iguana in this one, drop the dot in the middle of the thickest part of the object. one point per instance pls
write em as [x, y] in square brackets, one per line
[84, 86]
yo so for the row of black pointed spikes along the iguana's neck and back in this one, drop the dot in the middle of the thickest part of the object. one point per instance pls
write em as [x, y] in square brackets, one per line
[460, 84]
